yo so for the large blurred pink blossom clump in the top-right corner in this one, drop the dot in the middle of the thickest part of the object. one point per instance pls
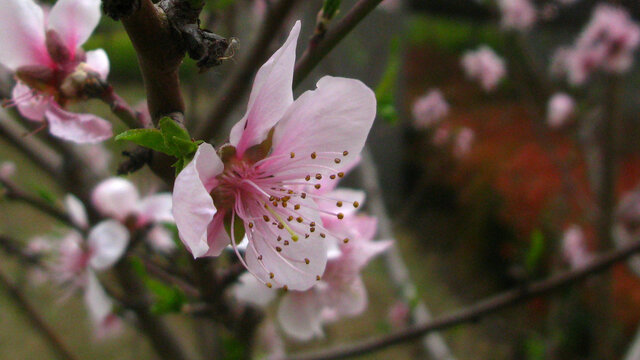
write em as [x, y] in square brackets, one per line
[606, 44]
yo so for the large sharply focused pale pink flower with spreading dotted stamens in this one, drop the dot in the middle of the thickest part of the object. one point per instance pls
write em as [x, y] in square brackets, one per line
[278, 145]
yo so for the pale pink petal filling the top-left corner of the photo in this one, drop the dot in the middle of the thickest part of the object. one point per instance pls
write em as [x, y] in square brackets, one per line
[23, 37]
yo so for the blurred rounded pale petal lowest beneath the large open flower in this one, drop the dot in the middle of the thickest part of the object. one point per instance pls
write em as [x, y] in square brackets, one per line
[299, 315]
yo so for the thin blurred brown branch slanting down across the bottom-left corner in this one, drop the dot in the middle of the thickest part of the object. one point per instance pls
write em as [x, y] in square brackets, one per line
[36, 320]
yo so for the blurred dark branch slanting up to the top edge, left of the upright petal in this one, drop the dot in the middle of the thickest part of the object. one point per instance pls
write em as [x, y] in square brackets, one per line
[239, 81]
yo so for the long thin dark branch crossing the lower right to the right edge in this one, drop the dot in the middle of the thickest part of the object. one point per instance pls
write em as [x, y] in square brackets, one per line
[480, 309]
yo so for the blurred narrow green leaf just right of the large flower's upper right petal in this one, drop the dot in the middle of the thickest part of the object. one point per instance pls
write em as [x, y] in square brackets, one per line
[385, 91]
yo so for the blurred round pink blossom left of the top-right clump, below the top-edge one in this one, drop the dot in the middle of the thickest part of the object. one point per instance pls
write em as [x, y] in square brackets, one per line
[485, 66]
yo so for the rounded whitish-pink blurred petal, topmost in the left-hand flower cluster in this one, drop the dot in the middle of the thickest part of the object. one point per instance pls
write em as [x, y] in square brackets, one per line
[115, 197]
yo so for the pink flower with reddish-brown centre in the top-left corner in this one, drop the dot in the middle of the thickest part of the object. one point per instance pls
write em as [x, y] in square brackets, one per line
[45, 54]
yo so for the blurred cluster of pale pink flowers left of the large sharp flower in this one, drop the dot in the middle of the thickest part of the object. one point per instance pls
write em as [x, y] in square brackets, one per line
[75, 259]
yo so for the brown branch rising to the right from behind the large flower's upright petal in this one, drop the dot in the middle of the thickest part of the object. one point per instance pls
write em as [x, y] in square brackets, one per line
[314, 54]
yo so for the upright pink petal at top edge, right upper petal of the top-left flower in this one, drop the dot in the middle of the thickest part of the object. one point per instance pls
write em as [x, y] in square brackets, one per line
[74, 21]
